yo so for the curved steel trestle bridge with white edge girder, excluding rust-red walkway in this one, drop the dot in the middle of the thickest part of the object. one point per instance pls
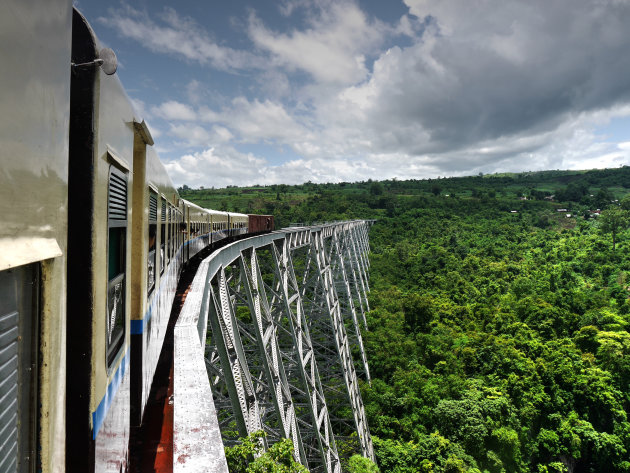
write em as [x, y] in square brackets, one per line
[269, 339]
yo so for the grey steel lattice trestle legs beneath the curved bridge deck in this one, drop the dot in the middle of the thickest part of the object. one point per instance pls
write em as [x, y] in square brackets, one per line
[266, 364]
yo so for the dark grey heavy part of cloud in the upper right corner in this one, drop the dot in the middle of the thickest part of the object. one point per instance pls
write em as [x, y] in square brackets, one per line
[486, 70]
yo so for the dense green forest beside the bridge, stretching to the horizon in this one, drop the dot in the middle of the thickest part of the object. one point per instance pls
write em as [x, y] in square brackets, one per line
[498, 332]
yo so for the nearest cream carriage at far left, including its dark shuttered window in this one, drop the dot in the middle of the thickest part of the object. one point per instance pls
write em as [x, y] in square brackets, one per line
[34, 129]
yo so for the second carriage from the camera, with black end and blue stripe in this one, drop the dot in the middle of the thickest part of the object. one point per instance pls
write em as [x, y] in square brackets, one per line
[123, 262]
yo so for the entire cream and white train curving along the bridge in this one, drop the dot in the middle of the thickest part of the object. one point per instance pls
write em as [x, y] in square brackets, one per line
[94, 237]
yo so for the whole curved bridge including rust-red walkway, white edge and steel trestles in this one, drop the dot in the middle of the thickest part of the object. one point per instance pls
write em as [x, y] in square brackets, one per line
[180, 431]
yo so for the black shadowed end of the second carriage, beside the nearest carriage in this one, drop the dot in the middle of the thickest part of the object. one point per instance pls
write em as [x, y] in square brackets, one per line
[81, 205]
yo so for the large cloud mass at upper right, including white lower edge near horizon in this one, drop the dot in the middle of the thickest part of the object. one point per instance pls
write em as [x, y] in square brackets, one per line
[487, 85]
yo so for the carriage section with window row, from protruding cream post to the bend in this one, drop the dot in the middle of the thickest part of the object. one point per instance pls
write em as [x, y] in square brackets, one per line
[157, 260]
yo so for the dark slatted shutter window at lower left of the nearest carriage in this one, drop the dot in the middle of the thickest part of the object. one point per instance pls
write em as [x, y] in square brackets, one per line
[19, 290]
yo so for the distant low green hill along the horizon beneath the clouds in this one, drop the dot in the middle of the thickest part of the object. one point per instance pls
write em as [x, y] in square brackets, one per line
[310, 202]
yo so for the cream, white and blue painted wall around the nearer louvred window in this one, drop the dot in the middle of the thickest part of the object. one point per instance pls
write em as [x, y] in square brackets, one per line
[109, 398]
